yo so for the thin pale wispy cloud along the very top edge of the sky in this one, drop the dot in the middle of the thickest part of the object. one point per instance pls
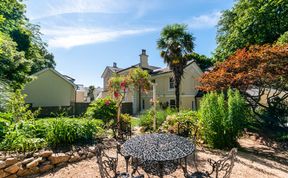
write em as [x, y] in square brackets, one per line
[47, 8]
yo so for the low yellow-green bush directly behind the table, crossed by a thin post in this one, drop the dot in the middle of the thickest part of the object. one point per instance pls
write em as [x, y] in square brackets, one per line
[146, 119]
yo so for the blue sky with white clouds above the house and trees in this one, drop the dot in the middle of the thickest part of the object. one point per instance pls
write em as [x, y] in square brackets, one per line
[87, 35]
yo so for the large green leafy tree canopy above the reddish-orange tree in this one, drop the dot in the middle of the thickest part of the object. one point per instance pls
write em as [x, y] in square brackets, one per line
[249, 23]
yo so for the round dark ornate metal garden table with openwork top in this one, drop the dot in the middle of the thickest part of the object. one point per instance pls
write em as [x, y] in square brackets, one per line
[158, 147]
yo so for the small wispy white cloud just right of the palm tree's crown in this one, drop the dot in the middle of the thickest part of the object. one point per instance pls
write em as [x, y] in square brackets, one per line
[204, 21]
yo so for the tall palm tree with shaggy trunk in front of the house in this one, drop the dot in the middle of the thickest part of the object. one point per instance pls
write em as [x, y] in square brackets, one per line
[175, 43]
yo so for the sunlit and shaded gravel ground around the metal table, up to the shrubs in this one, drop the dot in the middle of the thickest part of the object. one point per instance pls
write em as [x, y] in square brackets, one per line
[266, 163]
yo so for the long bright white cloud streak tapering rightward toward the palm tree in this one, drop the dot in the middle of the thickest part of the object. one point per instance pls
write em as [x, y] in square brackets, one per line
[68, 37]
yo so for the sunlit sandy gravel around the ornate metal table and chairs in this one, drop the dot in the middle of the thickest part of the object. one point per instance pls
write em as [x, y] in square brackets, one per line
[247, 165]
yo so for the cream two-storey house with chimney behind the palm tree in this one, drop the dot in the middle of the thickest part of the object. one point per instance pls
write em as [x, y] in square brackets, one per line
[163, 78]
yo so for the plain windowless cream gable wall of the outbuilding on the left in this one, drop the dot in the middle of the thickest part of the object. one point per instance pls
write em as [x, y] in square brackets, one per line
[49, 89]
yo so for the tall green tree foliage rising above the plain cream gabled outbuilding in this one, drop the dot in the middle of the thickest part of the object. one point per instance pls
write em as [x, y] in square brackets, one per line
[21, 48]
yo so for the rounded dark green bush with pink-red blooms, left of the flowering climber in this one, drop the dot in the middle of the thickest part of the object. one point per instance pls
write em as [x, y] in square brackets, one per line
[104, 109]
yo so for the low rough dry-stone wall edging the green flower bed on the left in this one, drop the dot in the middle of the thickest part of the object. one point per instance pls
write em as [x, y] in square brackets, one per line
[20, 165]
